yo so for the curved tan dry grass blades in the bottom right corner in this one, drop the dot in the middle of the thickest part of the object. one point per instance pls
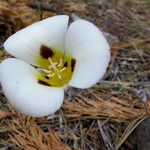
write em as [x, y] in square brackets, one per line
[128, 130]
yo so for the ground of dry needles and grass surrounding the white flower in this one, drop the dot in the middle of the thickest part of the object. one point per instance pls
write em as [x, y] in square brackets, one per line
[113, 114]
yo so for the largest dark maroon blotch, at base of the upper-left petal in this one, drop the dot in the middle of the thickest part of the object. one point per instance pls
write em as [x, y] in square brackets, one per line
[46, 52]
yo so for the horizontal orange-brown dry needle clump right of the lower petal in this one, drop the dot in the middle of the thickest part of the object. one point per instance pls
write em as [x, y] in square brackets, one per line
[114, 108]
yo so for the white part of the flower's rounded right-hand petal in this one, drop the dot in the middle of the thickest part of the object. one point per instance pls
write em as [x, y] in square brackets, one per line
[86, 43]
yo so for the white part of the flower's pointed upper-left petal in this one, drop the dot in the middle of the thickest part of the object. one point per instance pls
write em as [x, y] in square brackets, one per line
[25, 44]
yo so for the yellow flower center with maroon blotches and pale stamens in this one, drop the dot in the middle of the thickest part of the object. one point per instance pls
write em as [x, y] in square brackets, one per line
[56, 68]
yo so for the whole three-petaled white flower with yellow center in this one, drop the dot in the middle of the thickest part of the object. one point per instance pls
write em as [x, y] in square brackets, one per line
[49, 56]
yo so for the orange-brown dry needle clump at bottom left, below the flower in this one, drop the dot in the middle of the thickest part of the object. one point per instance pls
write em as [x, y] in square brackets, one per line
[26, 134]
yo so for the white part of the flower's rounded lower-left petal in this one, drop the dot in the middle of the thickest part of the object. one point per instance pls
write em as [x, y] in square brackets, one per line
[20, 86]
